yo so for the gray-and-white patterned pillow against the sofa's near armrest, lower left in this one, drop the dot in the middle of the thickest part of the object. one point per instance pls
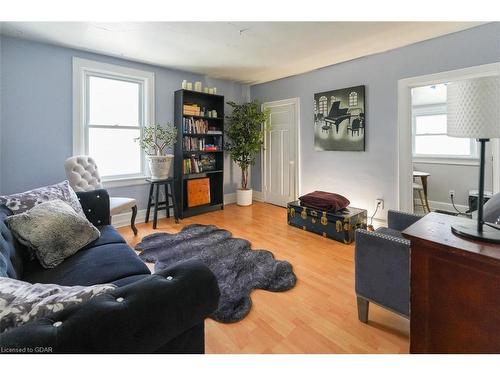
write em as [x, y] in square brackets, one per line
[22, 302]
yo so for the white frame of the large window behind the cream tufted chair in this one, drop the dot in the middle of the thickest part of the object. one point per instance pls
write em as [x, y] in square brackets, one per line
[82, 70]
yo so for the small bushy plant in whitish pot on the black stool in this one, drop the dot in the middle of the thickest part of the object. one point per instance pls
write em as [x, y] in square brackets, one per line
[155, 139]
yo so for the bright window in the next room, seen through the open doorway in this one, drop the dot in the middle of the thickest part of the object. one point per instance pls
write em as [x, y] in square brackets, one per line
[430, 139]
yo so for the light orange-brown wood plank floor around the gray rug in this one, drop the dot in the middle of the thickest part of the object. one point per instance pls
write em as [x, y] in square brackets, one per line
[318, 315]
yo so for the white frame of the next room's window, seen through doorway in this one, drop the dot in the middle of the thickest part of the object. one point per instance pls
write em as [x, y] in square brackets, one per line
[438, 109]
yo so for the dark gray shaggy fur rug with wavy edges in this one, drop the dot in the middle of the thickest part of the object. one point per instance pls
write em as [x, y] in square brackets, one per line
[237, 267]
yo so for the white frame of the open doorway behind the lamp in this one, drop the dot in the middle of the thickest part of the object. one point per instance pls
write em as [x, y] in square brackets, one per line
[405, 160]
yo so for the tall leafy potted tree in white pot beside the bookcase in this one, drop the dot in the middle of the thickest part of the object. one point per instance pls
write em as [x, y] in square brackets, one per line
[245, 131]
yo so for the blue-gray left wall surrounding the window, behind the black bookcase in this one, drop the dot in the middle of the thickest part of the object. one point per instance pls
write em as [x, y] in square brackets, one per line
[37, 112]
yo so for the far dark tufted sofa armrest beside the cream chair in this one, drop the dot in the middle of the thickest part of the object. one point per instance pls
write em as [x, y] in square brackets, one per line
[95, 204]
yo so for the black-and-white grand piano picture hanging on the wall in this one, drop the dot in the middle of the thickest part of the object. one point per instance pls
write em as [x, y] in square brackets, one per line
[340, 120]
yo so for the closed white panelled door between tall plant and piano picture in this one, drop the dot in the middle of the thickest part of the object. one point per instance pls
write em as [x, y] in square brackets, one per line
[280, 153]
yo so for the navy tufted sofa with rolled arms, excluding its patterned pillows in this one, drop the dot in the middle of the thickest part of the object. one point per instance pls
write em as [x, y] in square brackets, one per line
[160, 313]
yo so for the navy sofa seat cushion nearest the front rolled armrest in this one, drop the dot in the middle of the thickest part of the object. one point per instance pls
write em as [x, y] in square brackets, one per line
[96, 265]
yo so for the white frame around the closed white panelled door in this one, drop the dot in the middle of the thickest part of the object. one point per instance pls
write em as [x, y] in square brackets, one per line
[263, 166]
